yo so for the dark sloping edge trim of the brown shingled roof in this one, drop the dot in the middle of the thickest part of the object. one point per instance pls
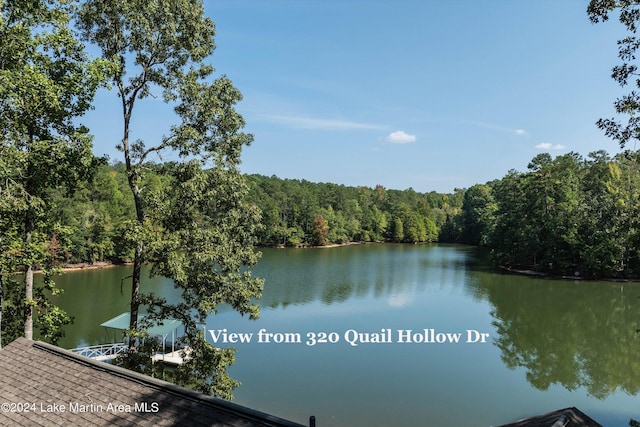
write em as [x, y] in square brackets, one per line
[220, 404]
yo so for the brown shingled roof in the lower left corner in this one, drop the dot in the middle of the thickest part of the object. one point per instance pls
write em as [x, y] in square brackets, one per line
[44, 385]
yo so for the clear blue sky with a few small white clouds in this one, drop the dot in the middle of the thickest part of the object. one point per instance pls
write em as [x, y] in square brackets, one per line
[433, 95]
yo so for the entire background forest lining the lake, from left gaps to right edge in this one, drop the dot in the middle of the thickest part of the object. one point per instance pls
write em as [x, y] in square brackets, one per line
[566, 215]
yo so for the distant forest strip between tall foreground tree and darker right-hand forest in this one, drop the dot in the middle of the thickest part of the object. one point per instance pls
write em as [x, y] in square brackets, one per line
[302, 213]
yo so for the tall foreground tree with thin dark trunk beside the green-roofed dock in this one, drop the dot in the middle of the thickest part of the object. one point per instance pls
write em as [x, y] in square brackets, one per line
[164, 45]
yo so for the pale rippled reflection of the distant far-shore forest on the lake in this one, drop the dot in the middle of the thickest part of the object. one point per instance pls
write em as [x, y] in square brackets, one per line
[334, 275]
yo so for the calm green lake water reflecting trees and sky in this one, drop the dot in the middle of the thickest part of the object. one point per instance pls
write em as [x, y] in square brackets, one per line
[551, 344]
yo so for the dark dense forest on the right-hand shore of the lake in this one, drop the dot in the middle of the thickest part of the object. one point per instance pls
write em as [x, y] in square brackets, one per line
[565, 216]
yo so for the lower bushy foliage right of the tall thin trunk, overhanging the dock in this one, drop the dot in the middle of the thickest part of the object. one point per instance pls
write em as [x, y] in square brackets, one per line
[202, 236]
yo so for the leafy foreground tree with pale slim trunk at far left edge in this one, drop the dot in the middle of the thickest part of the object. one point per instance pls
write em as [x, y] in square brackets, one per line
[46, 83]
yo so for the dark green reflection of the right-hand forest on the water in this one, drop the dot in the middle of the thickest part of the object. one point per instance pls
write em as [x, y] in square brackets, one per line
[576, 334]
